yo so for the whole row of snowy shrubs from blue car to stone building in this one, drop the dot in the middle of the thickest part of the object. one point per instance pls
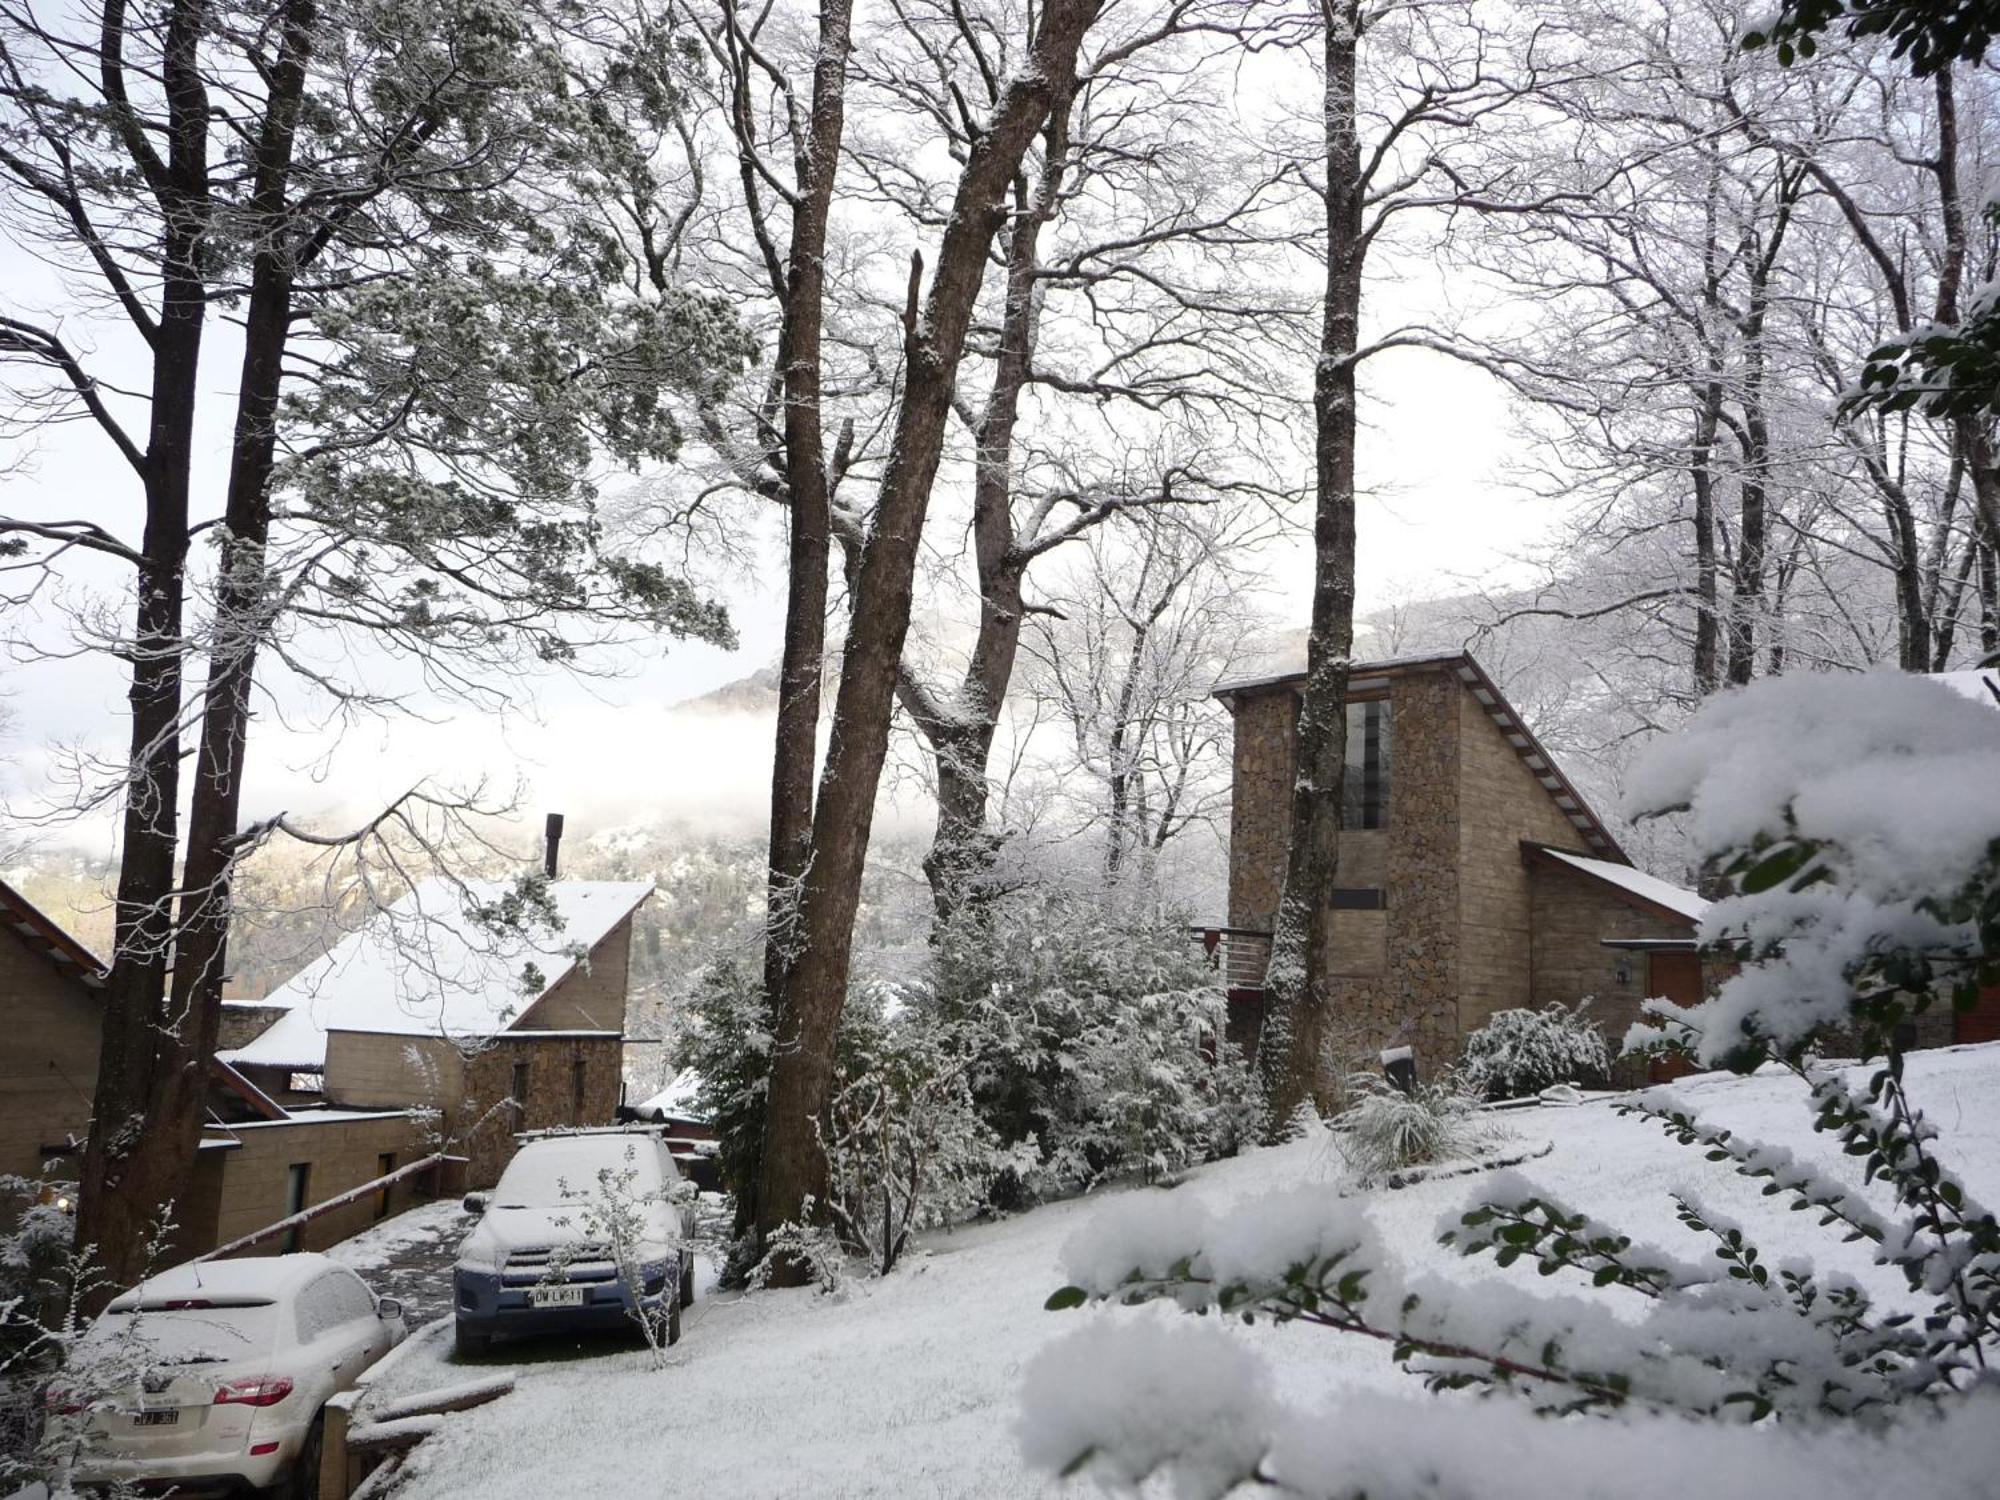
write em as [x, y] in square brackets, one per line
[1053, 1045]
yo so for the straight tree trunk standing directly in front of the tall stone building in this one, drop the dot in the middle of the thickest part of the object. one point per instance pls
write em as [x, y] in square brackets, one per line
[1297, 1005]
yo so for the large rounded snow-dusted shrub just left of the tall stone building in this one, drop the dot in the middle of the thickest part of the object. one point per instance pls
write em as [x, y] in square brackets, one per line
[1101, 1043]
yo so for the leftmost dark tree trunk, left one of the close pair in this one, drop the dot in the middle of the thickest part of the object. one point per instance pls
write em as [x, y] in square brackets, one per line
[149, 1103]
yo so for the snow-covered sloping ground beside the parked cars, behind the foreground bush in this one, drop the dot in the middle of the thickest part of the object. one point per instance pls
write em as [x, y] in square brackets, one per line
[909, 1387]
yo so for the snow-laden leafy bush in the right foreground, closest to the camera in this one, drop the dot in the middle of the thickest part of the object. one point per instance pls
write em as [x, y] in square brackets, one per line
[1859, 821]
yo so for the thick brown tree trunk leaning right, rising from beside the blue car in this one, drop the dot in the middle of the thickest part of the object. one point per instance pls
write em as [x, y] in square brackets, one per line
[815, 985]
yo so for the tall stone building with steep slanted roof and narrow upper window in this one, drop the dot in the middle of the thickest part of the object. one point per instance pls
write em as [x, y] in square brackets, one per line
[1473, 875]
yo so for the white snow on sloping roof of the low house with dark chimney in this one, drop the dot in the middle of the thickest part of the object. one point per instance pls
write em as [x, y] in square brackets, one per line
[427, 969]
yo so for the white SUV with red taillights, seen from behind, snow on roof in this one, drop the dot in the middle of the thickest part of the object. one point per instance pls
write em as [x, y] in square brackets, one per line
[215, 1375]
